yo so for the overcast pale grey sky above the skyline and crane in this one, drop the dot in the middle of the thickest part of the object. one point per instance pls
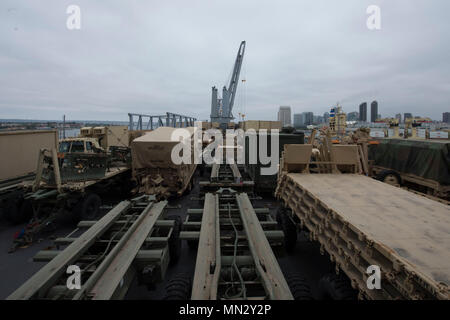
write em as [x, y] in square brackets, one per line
[157, 56]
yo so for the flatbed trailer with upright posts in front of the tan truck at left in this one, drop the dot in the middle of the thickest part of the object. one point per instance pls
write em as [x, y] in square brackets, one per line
[71, 192]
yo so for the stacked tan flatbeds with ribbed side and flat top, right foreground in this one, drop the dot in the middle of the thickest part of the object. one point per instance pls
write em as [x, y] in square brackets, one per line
[360, 222]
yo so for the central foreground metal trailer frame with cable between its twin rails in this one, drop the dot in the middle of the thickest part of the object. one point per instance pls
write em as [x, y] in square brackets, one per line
[235, 239]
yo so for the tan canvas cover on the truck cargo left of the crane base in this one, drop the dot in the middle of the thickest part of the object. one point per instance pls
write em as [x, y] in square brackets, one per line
[154, 149]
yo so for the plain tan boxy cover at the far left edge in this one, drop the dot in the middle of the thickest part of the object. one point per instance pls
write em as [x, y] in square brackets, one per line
[20, 151]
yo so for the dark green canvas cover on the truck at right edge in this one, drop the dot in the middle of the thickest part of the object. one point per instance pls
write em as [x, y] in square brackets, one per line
[426, 159]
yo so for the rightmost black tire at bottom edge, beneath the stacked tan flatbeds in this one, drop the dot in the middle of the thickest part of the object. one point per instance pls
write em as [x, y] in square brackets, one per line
[336, 287]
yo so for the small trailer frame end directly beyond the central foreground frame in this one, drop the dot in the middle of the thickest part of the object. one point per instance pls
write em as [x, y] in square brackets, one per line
[226, 176]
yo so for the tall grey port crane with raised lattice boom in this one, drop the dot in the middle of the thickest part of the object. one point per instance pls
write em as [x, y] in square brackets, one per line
[221, 108]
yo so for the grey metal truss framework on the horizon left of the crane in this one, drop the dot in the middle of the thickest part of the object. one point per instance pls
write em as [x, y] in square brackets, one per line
[169, 120]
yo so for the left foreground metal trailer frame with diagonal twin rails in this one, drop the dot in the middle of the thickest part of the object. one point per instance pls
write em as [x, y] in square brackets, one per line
[130, 240]
